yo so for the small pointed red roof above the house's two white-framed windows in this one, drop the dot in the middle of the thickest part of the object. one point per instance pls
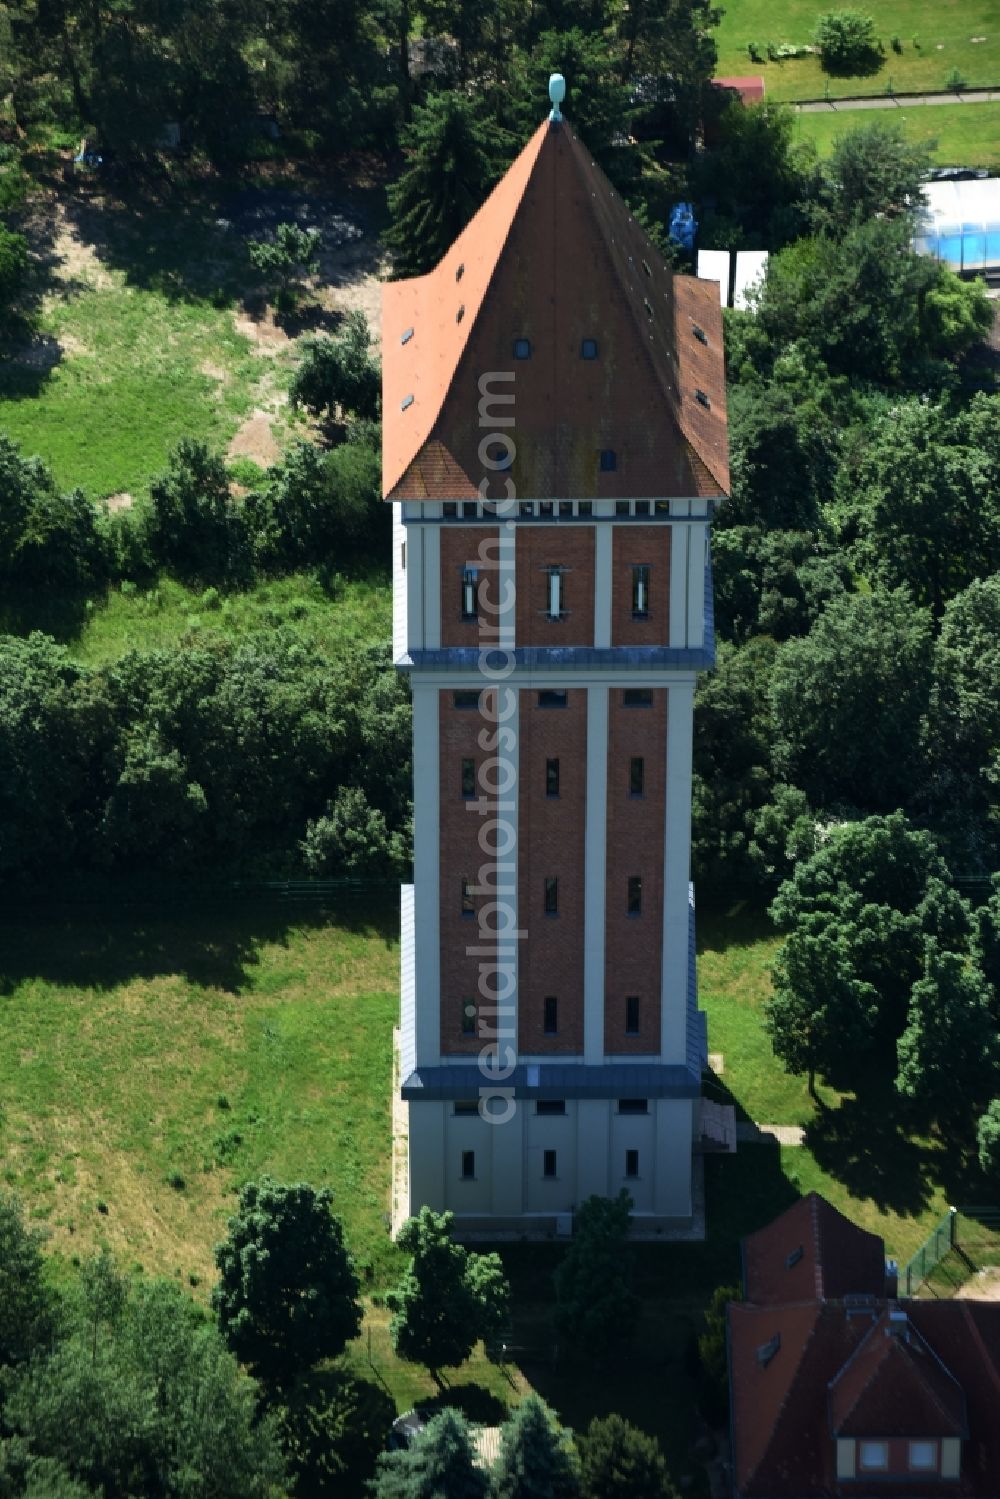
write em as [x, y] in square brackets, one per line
[894, 1386]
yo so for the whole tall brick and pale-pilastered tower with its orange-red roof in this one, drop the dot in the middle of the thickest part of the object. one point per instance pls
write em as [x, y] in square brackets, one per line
[554, 446]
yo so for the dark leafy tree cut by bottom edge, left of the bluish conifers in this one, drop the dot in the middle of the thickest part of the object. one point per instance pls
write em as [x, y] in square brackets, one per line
[334, 1428]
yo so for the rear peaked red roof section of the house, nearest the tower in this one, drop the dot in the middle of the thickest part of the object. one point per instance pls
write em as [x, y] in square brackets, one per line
[837, 1258]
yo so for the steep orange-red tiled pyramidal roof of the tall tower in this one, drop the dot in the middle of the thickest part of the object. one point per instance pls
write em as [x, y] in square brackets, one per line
[555, 259]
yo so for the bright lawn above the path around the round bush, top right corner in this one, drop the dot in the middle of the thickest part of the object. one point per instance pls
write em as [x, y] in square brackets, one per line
[944, 31]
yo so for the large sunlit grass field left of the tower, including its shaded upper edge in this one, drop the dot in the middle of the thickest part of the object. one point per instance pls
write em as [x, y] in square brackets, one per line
[155, 1059]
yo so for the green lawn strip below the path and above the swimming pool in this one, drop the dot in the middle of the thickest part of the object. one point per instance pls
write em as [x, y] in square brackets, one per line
[965, 134]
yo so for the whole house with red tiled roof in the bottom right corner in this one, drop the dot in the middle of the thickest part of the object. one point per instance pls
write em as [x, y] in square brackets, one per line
[839, 1389]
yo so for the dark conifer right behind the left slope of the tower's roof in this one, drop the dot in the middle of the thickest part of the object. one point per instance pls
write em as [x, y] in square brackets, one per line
[449, 173]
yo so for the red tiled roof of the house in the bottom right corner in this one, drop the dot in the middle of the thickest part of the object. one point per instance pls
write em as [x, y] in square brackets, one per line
[833, 1371]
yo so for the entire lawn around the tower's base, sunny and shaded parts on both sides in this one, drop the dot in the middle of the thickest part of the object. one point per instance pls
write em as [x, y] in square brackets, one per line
[157, 1058]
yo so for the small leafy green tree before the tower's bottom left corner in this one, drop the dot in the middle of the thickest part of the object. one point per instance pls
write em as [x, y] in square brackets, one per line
[448, 1299]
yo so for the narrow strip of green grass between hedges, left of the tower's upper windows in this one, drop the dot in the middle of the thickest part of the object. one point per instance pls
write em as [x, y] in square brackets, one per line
[343, 617]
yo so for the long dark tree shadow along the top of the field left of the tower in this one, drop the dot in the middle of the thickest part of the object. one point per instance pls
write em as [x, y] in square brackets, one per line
[211, 944]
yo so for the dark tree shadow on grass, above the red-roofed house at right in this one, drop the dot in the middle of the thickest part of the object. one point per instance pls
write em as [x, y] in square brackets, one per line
[866, 1146]
